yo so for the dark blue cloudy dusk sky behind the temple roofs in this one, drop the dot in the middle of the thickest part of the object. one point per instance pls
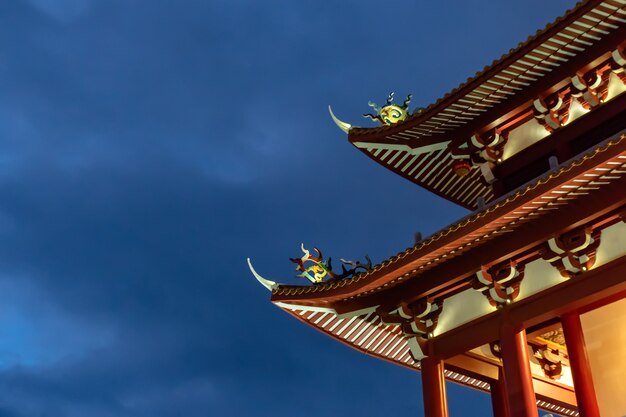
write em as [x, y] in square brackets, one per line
[148, 147]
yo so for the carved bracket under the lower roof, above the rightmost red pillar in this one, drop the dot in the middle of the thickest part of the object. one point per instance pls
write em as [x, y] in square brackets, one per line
[573, 252]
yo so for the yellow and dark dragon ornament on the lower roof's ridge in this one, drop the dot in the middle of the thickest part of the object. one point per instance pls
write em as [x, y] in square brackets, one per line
[318, 270]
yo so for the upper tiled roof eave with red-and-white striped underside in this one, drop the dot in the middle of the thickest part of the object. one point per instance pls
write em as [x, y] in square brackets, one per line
[421, 148]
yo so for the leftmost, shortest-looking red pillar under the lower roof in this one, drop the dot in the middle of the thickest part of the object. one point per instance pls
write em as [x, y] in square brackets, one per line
[434, 388]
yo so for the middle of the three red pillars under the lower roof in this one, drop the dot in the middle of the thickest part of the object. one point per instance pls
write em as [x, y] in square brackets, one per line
[516, 363]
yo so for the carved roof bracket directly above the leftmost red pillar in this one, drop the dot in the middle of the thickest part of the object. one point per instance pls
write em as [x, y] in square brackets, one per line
[415, 319]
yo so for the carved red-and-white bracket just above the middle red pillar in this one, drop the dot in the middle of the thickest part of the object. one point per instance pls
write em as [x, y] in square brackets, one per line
[499, 283]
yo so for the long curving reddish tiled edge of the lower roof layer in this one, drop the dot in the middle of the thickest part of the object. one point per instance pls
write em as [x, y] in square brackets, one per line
[576, 179]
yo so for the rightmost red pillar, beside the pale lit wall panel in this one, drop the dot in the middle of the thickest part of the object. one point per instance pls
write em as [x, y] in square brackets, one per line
[579, 364]
